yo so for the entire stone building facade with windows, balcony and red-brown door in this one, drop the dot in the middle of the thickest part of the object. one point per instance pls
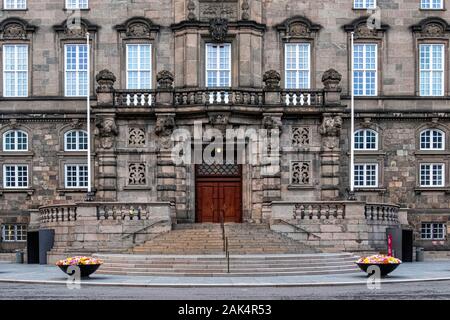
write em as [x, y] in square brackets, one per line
[132, 128]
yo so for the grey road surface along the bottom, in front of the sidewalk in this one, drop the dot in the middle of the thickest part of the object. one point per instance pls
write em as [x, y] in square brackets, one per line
[422, 290]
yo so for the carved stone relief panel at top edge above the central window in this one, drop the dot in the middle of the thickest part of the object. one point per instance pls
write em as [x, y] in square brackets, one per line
[210, 9]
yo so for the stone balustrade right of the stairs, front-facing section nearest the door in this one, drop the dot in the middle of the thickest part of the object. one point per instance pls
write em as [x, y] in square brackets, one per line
[319, 210]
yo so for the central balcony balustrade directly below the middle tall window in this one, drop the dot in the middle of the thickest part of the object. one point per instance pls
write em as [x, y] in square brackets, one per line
[222, 96]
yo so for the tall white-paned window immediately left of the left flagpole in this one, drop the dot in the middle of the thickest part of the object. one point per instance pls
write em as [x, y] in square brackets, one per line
[76, 56]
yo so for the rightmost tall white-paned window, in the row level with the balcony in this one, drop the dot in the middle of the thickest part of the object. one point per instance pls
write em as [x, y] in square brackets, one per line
[431, 69]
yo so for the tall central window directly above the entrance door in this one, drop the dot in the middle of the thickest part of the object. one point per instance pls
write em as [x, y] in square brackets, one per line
[218, 65]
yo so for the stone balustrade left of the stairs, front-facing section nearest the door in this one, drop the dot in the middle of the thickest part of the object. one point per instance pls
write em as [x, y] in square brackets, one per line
[125, 211]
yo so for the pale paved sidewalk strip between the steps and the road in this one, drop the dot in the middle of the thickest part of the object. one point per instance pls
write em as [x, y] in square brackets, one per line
[407, 272]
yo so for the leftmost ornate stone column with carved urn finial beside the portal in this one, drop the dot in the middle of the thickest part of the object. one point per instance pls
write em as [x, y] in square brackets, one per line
[106, 134]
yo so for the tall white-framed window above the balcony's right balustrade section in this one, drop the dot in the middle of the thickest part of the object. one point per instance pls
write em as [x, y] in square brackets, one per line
[298, 65]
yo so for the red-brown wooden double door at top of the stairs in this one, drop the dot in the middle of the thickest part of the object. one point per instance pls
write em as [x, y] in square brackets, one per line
[218, 197]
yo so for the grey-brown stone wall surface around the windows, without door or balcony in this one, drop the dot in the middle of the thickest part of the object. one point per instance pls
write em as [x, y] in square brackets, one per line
[398, 114]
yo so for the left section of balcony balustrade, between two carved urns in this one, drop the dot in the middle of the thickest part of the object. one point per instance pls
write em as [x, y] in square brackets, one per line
[134, 98]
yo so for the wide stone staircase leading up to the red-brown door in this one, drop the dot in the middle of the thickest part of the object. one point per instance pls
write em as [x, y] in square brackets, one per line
[198, 250]
